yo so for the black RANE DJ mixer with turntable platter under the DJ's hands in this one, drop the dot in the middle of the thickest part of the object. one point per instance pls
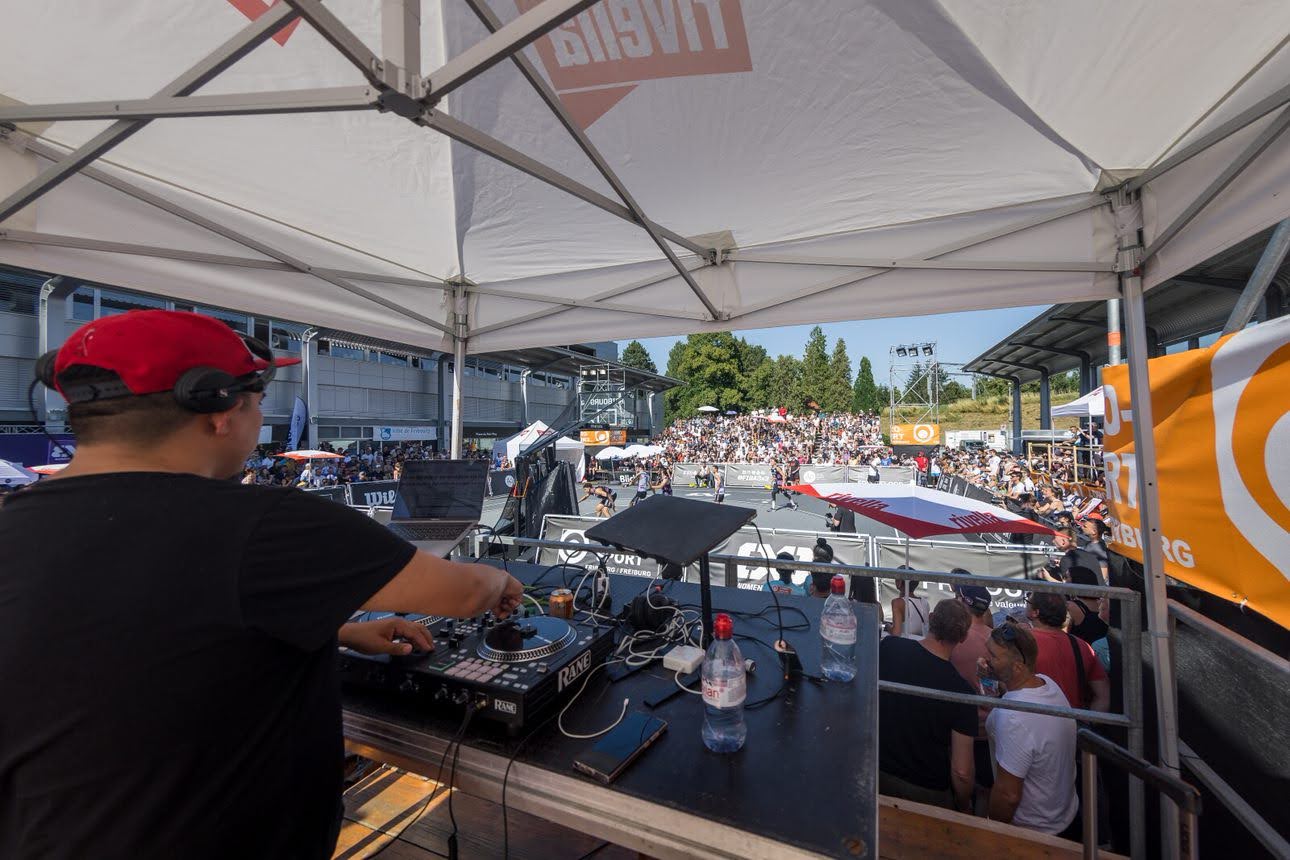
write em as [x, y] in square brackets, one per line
[518, 670]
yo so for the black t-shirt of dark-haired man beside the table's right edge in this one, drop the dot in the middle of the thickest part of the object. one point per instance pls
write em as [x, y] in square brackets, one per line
[914, 733]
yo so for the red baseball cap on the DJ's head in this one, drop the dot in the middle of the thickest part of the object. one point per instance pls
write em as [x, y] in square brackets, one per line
[150, 350]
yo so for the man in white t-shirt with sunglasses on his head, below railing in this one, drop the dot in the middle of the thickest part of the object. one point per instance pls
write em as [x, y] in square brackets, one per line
[1034, 754]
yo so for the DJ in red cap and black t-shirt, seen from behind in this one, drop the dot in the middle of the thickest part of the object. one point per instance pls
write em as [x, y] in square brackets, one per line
[168, 636]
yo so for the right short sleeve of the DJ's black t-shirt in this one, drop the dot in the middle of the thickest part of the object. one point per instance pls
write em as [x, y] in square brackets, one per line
[310, 564]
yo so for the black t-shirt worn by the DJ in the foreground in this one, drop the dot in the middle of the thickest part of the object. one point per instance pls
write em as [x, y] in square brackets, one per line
[167, 658]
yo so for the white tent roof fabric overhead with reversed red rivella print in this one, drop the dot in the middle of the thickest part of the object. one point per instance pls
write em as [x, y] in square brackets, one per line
[843, 161]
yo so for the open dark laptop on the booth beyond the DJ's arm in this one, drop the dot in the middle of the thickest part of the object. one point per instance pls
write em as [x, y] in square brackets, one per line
[438, 503]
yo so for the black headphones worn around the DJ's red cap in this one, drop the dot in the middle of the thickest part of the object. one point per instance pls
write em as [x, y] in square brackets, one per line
[199, 390]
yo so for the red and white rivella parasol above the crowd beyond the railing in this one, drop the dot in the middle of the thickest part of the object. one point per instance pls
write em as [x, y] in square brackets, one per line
[922, 513]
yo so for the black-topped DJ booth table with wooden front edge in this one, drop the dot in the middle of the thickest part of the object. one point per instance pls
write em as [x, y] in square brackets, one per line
[804, 785]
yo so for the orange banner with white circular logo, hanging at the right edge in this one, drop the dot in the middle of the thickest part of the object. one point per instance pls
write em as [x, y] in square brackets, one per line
[1222, 430]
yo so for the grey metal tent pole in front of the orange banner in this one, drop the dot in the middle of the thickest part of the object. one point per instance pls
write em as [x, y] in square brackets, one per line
[1149, 519]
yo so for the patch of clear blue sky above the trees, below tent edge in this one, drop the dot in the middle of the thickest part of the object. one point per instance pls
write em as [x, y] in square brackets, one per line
[959, 337]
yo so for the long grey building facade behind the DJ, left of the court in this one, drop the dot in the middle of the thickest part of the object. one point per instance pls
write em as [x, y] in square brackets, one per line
[355, 389]
